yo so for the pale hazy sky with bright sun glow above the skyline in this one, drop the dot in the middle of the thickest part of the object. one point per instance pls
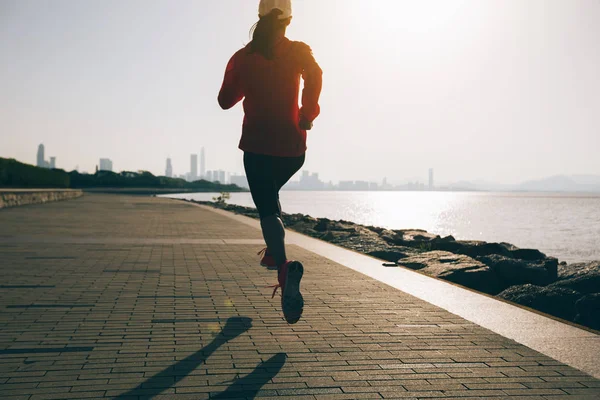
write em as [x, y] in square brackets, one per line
[502, 90]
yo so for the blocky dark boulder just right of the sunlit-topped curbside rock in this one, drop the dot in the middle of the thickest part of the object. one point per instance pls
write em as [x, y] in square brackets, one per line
[517, 272]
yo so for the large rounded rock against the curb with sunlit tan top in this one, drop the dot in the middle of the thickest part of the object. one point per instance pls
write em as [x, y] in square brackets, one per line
[455, 268]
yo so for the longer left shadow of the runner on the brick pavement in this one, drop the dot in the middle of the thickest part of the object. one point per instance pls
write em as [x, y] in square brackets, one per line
[155, 385]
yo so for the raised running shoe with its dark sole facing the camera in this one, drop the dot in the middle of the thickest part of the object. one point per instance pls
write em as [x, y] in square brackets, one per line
[292, 302]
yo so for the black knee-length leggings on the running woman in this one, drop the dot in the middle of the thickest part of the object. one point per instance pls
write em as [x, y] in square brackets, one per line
[266, 176]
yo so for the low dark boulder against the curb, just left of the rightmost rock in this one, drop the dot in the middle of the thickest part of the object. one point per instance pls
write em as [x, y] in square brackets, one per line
[559, 302]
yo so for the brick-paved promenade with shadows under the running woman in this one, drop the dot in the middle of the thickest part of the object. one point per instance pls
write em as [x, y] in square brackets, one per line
[137, 297]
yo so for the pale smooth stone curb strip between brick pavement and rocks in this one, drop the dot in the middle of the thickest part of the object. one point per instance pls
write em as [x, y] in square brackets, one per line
[568, 344]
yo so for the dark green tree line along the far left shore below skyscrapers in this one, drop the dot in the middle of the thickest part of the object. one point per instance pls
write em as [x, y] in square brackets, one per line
[14, 174]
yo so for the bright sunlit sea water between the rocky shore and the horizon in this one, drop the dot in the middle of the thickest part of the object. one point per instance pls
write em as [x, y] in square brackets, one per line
[562, 225]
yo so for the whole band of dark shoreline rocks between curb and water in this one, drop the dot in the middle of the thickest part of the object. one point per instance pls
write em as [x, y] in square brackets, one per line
[524, 276]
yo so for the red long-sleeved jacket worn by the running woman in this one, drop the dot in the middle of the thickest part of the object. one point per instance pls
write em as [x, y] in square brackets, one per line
[270, 89]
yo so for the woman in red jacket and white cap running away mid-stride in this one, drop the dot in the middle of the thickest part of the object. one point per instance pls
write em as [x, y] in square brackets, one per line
[266, 74]
